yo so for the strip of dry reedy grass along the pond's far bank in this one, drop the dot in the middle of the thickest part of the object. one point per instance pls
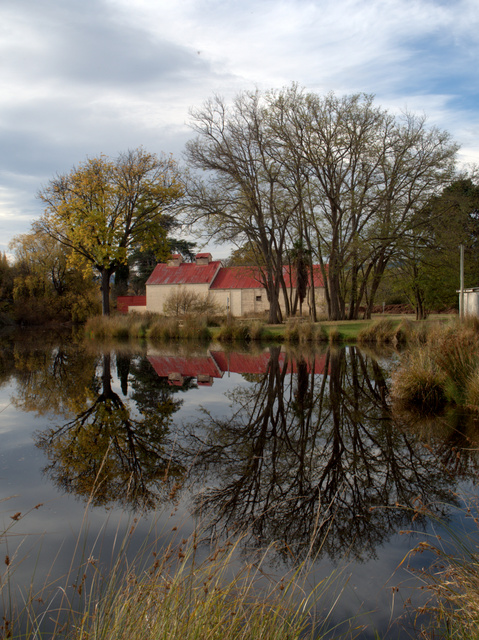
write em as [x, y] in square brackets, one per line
[394, 330]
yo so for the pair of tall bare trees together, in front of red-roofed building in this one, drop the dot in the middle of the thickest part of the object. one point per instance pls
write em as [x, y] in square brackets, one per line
[339, 176]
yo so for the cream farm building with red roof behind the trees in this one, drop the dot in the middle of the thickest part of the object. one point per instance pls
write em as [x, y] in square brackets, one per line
[234, 290]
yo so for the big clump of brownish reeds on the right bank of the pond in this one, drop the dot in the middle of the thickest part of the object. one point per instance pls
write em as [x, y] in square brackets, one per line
[445, 368]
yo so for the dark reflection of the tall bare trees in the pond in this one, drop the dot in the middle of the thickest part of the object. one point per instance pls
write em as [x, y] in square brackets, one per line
[314, 460]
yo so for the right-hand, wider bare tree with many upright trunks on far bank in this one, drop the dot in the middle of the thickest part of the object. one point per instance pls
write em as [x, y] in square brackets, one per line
[365, 173]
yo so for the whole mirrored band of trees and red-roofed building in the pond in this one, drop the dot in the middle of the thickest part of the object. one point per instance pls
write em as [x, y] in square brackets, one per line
[303, 450]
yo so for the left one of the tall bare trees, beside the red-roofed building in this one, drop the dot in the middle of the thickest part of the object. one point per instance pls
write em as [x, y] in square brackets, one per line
[243, 199]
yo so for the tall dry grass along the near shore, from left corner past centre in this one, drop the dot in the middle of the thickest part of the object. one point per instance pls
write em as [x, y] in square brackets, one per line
[186, 590]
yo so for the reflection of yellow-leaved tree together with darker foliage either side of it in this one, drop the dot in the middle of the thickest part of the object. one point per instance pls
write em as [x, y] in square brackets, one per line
[109, 450]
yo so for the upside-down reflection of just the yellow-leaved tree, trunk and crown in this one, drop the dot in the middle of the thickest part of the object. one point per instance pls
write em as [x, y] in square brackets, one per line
[111, 453]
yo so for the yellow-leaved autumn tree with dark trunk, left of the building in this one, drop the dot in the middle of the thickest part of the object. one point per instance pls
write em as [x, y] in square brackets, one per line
[104, 208]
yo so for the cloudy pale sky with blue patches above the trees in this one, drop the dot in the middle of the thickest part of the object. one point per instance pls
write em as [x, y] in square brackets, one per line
[81, 78]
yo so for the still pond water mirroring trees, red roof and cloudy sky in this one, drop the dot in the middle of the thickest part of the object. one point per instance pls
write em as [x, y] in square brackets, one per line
[297, 447]
